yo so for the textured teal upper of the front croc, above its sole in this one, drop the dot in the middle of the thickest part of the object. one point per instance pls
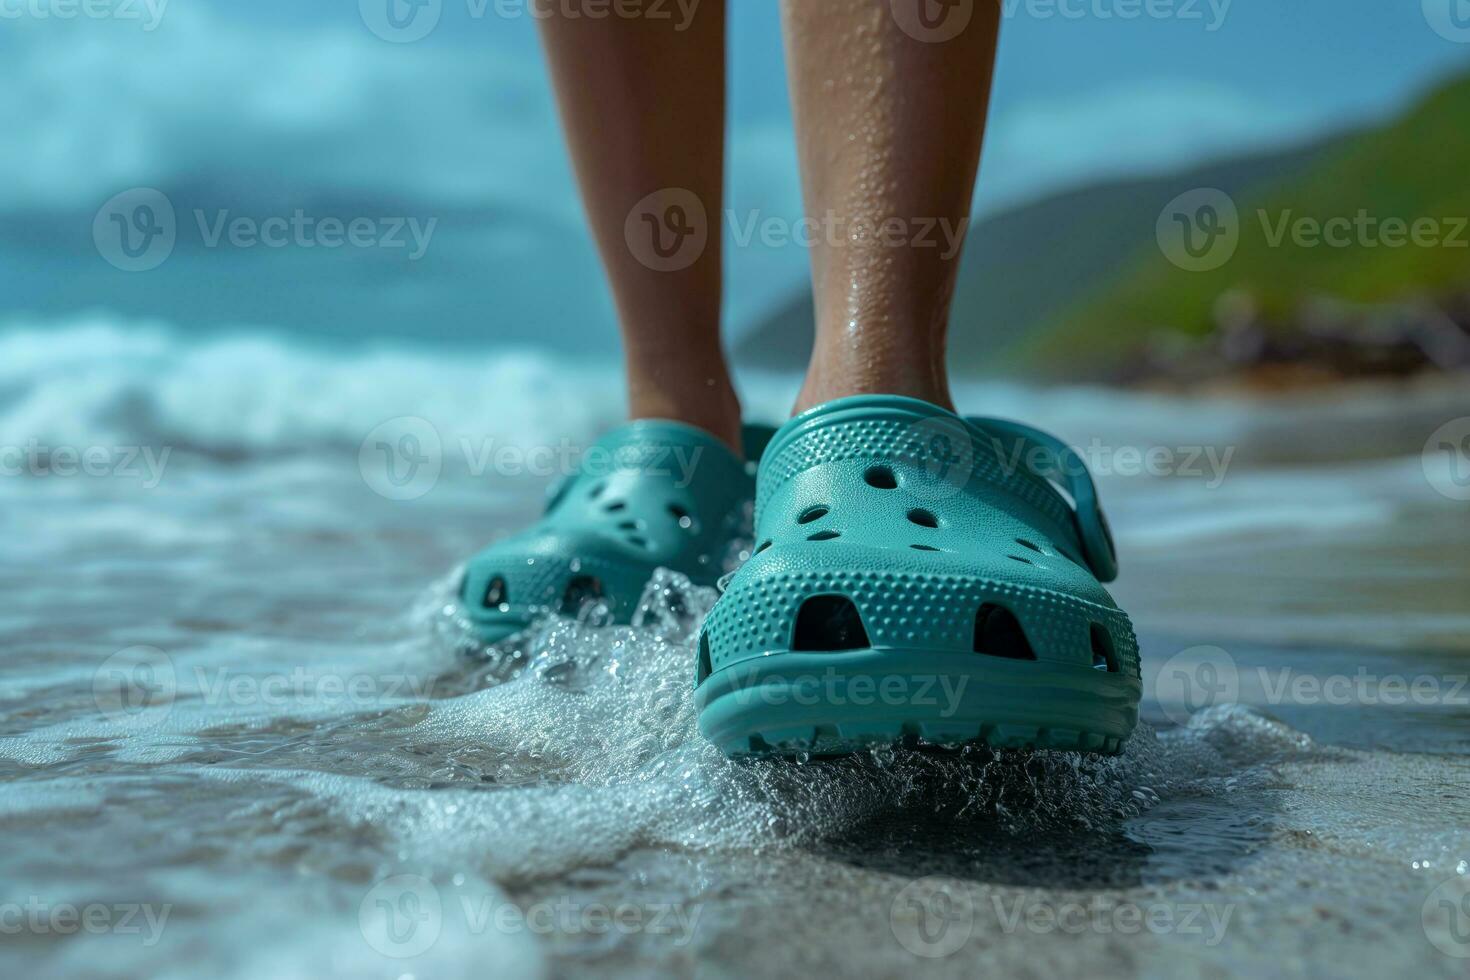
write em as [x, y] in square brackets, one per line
[887, 524]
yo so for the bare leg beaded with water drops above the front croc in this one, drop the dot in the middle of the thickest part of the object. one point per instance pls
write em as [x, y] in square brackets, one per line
[890, 102]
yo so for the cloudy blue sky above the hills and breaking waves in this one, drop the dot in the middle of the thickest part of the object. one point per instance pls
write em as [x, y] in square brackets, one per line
[258, 108]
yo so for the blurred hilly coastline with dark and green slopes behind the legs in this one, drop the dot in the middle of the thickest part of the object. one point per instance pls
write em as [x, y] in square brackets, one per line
[1343, 259]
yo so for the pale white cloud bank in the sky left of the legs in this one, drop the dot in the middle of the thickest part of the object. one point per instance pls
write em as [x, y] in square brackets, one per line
[95, 108]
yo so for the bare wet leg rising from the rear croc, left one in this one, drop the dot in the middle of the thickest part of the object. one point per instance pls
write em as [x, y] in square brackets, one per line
[643, 104]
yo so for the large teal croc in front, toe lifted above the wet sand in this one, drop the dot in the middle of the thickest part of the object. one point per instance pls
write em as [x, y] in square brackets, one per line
[924, 578]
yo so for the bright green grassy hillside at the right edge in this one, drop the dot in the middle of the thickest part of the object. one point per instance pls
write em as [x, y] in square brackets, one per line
[1415, 170]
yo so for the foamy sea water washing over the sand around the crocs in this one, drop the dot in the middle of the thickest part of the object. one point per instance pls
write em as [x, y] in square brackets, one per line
[243, 731]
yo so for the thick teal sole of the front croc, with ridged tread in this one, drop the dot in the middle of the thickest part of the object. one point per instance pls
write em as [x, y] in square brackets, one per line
[842, 703]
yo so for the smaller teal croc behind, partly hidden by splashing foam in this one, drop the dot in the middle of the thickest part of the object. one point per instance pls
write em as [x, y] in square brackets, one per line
[650, 494]
